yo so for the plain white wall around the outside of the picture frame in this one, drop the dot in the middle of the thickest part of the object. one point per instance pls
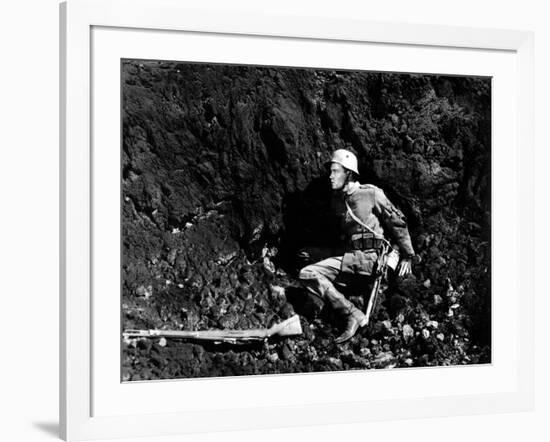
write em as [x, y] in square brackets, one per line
[29, 220]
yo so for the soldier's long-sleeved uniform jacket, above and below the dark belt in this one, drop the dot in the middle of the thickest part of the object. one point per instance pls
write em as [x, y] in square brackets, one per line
[372, 207]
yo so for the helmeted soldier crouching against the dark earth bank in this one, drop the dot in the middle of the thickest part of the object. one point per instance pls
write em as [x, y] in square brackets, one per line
[368, 213]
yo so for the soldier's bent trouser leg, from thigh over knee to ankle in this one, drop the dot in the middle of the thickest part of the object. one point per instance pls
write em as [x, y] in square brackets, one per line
[318, 278]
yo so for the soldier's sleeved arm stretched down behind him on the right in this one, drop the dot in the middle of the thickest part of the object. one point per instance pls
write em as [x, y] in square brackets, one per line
[394, 221]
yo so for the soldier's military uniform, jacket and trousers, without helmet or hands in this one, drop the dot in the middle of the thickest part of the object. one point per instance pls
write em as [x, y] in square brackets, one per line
[372, 208]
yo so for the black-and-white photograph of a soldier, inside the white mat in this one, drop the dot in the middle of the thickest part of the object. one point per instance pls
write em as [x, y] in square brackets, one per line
[284, 220]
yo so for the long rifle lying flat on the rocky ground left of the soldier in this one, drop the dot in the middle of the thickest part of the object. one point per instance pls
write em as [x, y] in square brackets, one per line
[289, 327]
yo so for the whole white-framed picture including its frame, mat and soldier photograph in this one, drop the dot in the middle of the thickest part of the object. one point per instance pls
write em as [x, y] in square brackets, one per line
[273, 215]
